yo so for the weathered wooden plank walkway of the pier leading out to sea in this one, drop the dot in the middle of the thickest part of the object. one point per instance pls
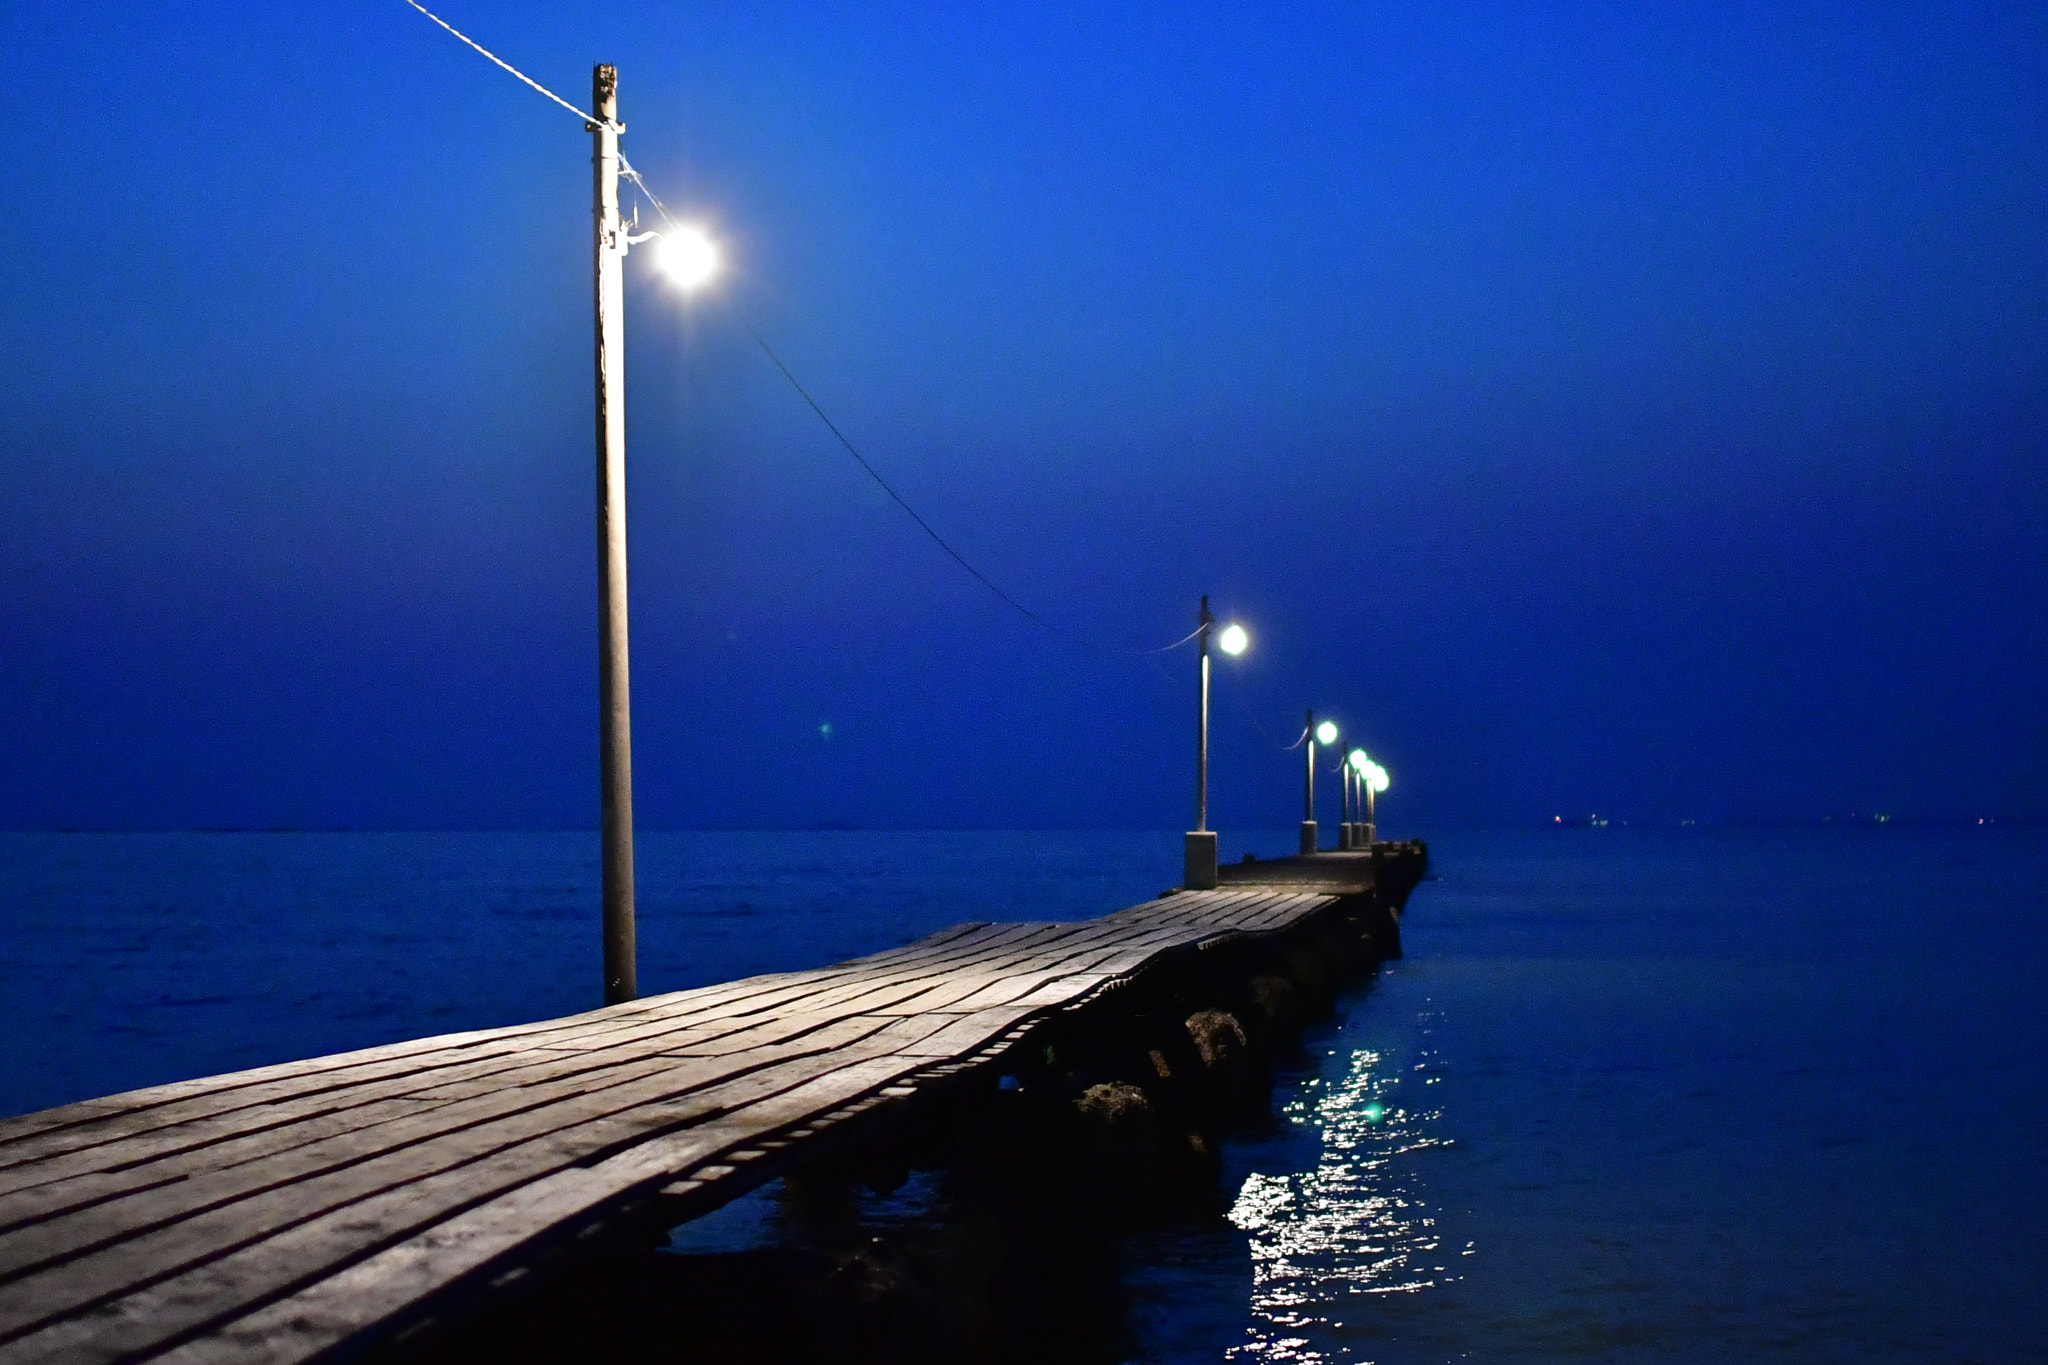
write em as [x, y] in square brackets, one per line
[349, 1204]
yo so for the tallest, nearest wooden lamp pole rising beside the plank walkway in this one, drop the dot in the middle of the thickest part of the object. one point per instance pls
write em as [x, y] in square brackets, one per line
[615, 695]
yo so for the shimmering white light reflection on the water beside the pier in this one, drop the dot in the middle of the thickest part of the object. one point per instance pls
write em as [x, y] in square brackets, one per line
[1353, 1225]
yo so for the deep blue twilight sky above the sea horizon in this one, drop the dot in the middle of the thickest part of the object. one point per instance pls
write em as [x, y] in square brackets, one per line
[1596, 408]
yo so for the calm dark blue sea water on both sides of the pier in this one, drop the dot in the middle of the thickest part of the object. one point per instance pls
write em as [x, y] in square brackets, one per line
[1631, 1096]
